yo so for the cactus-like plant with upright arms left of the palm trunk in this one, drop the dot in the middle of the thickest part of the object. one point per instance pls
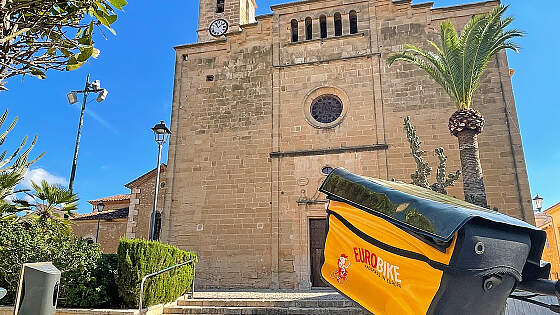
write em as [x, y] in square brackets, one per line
[423, 169]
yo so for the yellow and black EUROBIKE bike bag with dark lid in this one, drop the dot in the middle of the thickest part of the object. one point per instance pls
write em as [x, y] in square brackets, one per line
[396, 248]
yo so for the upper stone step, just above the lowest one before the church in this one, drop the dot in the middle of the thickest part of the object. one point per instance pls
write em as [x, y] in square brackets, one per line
[302, 303]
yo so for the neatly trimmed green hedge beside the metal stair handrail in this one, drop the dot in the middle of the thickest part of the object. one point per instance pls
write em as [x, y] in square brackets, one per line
[138, 258]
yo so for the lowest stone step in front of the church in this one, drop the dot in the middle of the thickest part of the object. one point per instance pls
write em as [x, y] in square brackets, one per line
[264, 310]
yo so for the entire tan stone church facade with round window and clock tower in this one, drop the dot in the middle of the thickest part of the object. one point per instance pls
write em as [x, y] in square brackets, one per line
[262, 113]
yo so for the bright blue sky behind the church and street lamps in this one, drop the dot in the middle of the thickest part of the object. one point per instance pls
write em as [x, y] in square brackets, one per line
[137, 68]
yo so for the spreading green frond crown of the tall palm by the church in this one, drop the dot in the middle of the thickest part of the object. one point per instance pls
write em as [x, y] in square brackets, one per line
[459, 63]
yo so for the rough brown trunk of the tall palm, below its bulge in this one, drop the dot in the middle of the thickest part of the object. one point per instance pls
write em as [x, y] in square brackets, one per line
[473, 181]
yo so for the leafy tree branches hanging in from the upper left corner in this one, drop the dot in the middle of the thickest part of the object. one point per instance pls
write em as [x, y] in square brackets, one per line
[36, 36]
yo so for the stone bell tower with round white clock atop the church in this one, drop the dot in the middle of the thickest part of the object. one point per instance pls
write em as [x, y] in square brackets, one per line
[219, 17]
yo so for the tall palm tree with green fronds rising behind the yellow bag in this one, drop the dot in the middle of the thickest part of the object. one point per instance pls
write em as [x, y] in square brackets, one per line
[457, 65]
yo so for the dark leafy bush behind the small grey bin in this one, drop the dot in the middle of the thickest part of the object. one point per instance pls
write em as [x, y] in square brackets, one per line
[47, 240]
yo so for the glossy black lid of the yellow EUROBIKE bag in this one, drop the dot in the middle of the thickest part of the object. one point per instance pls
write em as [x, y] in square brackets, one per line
[418, 210]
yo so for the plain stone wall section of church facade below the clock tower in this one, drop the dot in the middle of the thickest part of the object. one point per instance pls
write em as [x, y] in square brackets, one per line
[218, 201]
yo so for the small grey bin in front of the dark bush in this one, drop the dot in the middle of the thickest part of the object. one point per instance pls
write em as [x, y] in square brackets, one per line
[38, 289]
